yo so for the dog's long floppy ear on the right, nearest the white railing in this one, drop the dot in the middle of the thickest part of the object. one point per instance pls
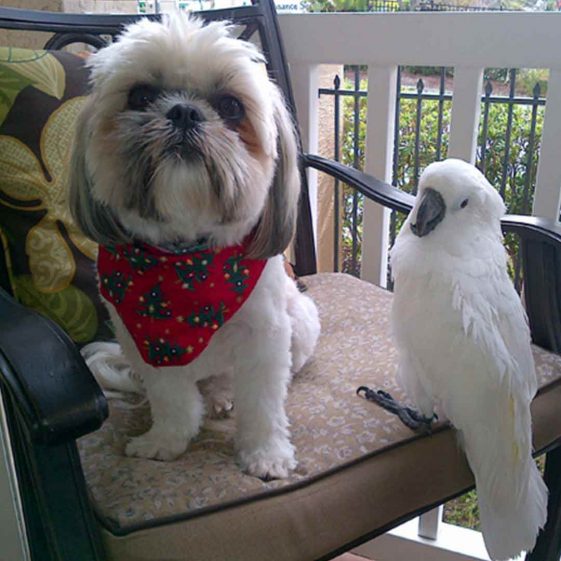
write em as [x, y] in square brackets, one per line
[276, 226]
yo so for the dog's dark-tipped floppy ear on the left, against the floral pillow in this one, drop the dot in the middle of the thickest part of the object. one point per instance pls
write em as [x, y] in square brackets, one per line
[94, 218]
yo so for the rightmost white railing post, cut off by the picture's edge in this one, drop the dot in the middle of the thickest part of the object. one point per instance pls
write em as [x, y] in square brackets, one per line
[548, 180]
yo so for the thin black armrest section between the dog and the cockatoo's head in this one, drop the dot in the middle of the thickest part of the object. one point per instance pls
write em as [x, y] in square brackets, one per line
[376, 190]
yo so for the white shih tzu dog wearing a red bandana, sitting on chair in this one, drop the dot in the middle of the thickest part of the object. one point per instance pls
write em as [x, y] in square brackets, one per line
[185, 171]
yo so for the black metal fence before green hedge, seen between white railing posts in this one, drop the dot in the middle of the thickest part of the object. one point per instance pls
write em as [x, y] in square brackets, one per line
[507, 152]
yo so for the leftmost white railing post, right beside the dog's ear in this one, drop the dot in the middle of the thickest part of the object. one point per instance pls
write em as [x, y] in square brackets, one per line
[305, 84]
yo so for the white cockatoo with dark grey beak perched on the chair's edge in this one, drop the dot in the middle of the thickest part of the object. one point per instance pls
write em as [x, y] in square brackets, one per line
[464, 345]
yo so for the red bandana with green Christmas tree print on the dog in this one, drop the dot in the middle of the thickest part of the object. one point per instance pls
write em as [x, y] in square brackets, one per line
[173, 303]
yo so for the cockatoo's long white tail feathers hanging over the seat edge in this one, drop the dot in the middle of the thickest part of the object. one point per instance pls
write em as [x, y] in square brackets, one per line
[511, 493]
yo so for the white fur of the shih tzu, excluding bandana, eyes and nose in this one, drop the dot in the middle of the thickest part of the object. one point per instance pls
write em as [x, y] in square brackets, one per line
[277, 327]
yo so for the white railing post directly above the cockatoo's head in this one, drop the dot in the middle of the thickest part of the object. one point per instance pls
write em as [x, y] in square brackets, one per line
[466, 109]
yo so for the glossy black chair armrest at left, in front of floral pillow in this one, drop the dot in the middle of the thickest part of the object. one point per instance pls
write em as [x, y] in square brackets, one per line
[45, 376]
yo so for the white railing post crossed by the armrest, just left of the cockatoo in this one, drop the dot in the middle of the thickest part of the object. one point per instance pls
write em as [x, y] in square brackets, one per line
[382, 96]
